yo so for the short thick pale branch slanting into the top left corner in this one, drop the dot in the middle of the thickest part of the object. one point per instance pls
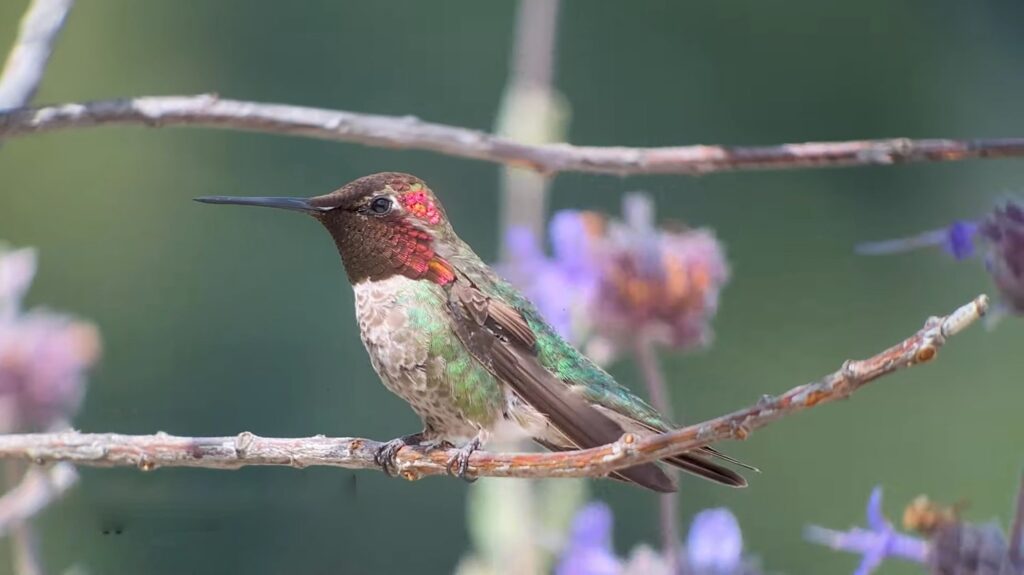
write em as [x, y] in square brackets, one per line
[24, 70]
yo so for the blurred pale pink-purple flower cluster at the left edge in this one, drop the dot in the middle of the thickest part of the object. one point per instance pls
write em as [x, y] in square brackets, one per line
[44, 356]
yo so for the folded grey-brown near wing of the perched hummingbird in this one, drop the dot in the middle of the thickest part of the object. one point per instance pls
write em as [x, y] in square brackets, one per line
[501, 340]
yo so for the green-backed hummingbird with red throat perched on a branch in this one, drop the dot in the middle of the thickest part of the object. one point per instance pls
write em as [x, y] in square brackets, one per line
[462, 346]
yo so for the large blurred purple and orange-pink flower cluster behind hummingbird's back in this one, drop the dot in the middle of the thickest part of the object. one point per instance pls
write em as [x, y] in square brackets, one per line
[610, 280]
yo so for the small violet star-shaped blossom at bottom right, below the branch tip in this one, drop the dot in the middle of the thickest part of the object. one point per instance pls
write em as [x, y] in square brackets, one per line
[876, 544]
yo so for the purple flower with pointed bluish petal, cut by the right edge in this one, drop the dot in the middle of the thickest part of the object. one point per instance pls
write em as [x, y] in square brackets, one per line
[1002, 233]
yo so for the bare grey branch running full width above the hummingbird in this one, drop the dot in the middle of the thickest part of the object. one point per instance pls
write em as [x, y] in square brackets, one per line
[410, 132]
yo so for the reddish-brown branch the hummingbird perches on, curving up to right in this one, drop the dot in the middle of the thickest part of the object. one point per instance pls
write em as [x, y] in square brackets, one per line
[149, 453]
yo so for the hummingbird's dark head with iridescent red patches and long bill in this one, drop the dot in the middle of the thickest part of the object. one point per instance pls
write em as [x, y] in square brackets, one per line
[383, 225]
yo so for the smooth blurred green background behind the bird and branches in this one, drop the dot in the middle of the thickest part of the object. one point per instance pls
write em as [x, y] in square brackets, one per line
[219, 321]
